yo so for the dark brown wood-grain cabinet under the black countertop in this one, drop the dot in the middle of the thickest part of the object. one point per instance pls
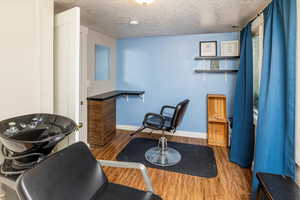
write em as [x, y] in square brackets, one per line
[101, 121]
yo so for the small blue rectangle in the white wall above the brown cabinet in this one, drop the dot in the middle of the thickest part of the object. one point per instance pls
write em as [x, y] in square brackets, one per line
[102, 56]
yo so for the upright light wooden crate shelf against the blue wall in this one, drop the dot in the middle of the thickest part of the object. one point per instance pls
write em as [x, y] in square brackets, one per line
[217, 120]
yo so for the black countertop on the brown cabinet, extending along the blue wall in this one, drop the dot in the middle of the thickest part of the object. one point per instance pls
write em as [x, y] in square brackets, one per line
[113, 94]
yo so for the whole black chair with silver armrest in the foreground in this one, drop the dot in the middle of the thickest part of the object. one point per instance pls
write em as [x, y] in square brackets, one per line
[74, 174]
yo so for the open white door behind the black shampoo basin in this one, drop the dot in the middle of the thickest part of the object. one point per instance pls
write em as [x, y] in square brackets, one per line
[67, 68]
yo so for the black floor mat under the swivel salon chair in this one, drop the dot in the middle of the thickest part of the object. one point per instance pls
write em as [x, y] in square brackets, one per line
[196, 160]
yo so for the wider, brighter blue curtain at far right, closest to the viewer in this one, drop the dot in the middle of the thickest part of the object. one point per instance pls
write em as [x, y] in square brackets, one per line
[275, 138]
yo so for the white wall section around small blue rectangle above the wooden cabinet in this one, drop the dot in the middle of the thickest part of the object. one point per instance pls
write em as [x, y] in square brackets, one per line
[96, 87]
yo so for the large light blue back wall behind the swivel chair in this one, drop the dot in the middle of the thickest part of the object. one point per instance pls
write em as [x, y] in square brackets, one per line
[164, 68]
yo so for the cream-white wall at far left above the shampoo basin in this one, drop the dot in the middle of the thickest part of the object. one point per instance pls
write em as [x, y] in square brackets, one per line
[25, 57]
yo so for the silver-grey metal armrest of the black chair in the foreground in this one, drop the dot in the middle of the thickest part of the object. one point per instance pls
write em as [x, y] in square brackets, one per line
[130, 165]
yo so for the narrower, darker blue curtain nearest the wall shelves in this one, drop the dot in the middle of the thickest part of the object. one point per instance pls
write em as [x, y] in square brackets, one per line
[242, 140]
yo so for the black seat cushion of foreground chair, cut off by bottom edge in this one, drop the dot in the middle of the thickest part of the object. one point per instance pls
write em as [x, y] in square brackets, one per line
[114, 191]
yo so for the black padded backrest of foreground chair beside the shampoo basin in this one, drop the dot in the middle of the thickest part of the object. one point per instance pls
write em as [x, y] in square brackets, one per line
[72, 173]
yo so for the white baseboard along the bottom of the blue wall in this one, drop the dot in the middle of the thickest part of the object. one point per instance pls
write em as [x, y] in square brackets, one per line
[177, 133]
